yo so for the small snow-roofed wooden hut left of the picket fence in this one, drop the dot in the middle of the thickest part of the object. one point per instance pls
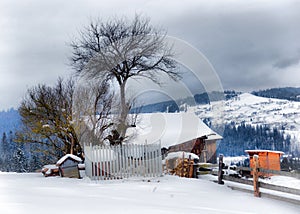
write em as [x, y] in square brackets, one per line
[68, 166]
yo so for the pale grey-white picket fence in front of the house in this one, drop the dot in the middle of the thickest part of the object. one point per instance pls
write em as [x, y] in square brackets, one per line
[123, 161]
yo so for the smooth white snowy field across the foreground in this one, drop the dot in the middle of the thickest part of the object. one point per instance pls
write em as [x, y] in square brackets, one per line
[34, 194]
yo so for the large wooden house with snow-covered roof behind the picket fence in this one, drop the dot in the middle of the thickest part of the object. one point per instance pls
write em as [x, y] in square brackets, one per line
[176, 132]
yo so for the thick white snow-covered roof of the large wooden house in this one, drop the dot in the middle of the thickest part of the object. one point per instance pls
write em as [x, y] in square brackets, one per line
[169, 129]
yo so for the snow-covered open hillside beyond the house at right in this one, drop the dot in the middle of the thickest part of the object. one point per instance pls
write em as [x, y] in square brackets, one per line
[254, 110]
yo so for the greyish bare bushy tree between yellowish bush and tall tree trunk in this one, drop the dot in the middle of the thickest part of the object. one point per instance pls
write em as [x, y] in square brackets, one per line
[92, 111]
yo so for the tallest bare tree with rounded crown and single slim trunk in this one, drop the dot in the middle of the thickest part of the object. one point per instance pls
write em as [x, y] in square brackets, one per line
[118, 50]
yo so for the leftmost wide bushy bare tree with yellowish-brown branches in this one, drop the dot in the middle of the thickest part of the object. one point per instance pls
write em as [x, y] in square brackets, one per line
[46, 113]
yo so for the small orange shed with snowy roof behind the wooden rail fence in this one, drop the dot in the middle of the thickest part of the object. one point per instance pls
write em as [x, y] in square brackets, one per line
[267, 159]
